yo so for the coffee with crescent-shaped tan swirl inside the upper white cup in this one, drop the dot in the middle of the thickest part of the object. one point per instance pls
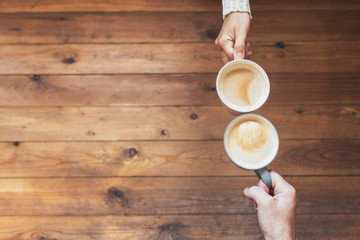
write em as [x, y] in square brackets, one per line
[243, 87]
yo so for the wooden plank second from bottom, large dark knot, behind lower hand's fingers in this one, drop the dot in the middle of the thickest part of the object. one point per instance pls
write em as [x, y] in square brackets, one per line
[171, 195]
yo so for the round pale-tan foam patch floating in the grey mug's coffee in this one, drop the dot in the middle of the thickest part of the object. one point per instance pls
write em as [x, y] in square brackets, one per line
[251, 135]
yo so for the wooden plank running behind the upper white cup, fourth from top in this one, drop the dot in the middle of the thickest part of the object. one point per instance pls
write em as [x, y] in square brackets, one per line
[150, 90]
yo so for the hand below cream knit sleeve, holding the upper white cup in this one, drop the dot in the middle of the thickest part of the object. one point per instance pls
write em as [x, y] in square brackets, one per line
[232, 37]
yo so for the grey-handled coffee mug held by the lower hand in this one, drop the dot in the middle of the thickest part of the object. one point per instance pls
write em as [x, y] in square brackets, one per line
[252, 142]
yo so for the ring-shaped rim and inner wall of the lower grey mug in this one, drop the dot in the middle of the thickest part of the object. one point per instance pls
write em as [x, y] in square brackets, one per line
[268, 159]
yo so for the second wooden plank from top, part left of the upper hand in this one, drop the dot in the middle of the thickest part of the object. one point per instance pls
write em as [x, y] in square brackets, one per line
[108, 27]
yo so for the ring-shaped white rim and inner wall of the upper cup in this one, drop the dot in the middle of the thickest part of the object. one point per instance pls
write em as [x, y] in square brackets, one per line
[243, 109]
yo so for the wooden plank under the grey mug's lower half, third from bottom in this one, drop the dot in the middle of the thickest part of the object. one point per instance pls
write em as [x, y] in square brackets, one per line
[177, 158]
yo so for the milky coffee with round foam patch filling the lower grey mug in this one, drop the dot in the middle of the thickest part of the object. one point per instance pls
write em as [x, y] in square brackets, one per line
[250, 141]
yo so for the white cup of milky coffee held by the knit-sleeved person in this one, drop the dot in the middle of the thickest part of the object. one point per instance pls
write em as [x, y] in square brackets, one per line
[243, 86]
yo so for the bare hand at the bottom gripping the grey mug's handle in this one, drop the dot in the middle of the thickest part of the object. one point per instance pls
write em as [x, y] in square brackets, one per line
[276, 215]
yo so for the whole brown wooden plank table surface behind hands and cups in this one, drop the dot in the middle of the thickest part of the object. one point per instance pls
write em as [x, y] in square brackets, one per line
[111, 128]
